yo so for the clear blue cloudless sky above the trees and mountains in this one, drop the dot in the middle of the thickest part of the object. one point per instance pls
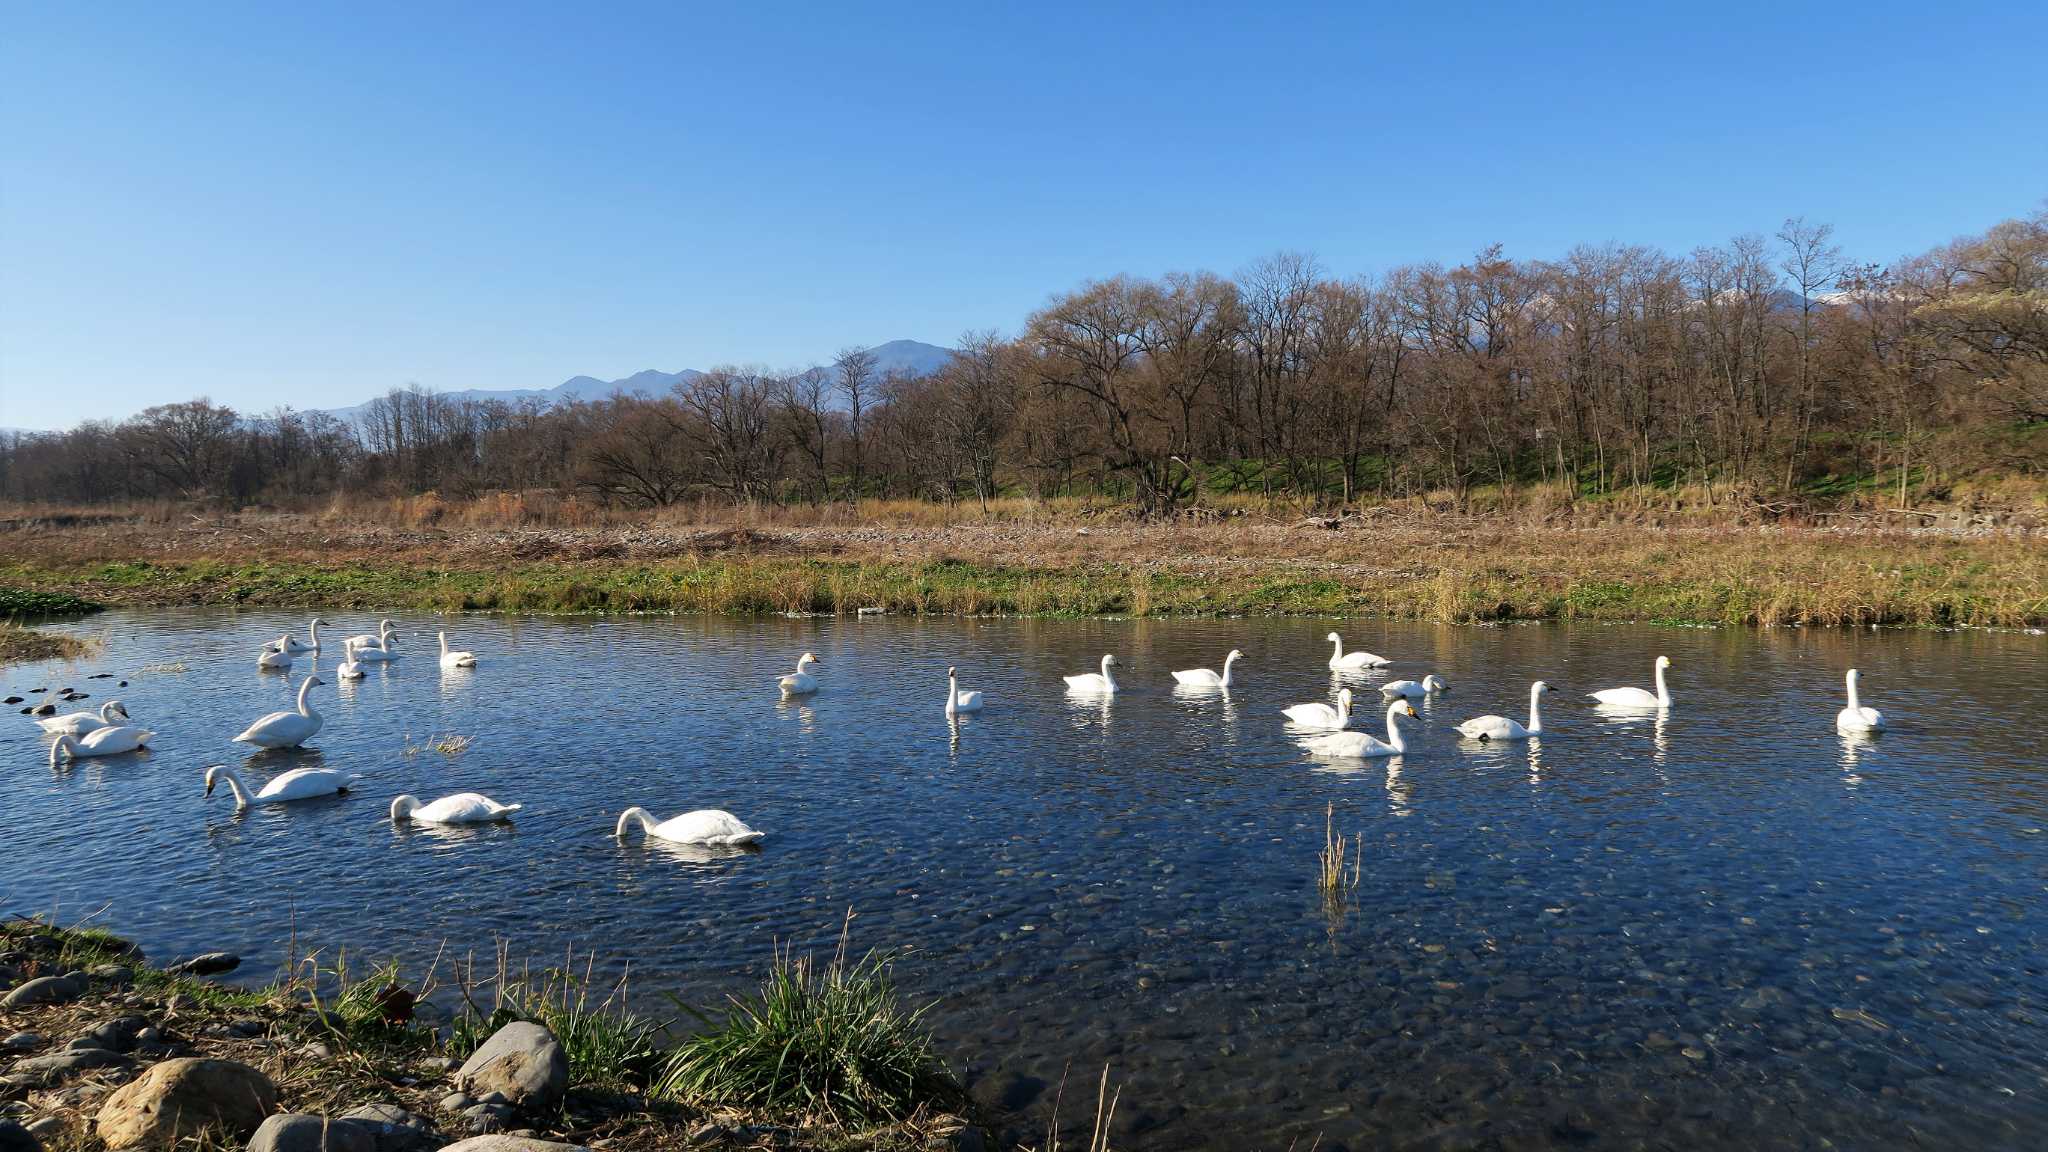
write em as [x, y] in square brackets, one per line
[308, 204]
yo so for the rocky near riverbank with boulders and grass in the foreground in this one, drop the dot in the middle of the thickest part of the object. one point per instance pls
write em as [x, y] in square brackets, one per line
[97, 1046]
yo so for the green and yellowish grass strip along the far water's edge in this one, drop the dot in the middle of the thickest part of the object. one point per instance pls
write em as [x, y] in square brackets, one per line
[1719, 583]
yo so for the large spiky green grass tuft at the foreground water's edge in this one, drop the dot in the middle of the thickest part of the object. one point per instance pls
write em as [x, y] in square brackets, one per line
[816, 1044]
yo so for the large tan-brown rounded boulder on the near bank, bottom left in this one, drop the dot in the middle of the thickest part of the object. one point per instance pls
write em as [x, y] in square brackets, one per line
[179, 1098]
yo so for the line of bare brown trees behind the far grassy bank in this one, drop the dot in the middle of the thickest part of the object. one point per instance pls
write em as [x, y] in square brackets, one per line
[1766, 364]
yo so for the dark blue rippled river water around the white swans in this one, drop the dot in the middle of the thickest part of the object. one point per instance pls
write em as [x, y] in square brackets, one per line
[1725, 928]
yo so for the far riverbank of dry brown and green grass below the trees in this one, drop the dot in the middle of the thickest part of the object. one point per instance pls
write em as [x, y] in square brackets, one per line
[1455, 571]
